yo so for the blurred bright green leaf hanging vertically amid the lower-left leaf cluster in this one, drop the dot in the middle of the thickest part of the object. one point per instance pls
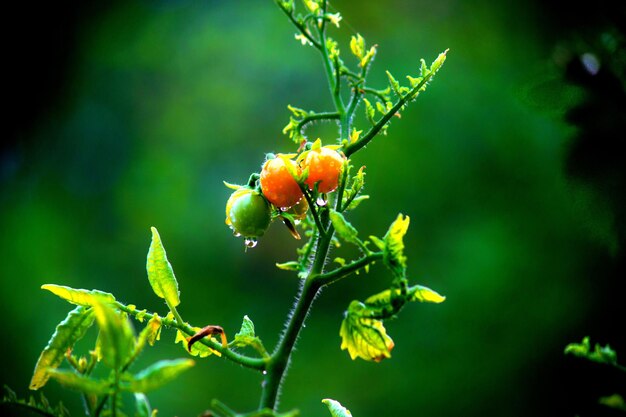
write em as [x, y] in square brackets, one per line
[116, 341]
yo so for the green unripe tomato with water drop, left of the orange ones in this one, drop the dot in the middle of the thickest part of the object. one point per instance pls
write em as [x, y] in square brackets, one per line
[248, 213]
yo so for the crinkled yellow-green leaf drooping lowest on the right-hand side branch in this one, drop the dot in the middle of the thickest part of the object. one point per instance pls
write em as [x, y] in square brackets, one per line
[364, 337]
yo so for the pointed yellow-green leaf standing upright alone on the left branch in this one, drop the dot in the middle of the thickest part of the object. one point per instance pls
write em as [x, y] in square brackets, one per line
[160, 272]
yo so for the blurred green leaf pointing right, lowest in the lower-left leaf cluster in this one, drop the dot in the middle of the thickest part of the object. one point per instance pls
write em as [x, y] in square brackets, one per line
[157, 375]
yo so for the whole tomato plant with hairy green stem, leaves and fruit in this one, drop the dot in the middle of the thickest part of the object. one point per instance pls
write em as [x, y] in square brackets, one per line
[319, 190]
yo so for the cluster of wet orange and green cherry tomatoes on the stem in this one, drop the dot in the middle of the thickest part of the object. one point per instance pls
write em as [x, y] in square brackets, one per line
[279, 190]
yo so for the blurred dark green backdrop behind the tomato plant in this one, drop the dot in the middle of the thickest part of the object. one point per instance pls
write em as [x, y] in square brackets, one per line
[124, 115]
